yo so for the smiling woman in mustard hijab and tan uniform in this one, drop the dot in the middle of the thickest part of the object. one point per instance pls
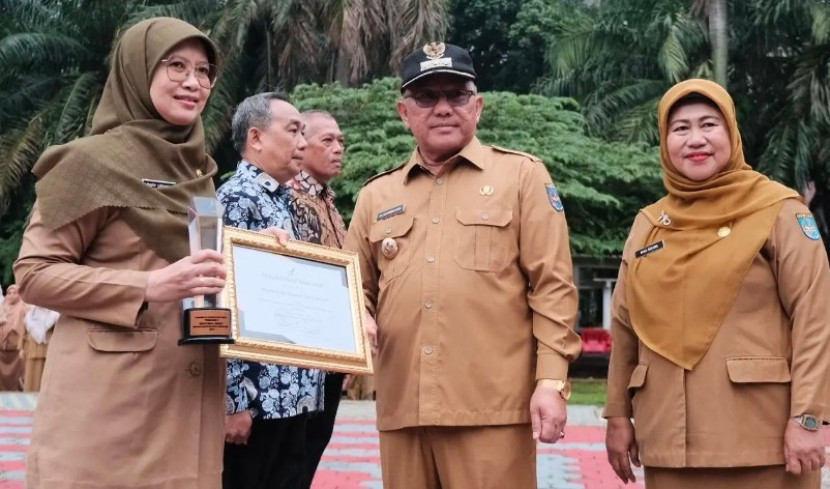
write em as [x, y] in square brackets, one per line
[721, 318]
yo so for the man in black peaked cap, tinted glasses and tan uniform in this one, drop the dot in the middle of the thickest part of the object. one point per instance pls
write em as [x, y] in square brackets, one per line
[467, 271]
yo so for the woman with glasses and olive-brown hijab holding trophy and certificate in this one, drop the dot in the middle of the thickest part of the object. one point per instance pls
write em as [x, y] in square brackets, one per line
[122, 405]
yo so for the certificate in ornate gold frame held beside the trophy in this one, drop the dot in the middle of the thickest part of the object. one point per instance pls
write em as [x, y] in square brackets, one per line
[297, 305]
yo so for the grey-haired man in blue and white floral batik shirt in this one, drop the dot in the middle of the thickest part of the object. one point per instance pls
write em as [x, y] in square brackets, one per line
[267, 405]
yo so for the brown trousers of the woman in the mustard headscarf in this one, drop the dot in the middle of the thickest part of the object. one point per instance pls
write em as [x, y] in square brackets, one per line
[765, 477]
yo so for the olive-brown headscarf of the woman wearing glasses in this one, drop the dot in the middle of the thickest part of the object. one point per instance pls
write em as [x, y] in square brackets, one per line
[130, 142]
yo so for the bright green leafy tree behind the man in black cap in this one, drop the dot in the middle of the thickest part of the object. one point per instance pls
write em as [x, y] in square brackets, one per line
[603, 184]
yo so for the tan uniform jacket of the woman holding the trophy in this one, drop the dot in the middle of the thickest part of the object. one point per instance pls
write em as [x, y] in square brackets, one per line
[121, 404]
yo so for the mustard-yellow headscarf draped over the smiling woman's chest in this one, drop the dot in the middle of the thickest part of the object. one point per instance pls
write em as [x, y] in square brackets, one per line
[679, 296]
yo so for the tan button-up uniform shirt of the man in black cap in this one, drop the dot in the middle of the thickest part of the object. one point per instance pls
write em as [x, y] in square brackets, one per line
[478, 300]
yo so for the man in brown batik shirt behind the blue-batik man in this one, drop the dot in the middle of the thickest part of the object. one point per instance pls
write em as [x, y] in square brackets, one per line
[317, 220]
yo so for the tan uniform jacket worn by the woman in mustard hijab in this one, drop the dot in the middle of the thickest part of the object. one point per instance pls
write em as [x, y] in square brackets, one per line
[769, 361]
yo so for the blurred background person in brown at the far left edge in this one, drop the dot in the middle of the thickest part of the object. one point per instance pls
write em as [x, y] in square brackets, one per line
[12, 311]
